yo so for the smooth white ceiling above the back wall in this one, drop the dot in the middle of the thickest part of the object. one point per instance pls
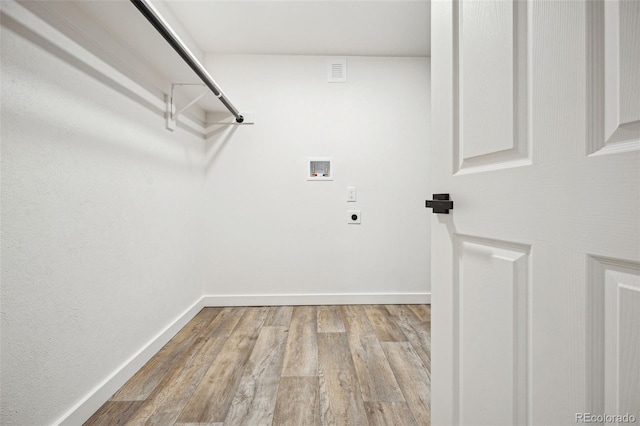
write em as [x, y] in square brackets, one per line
[308, 27]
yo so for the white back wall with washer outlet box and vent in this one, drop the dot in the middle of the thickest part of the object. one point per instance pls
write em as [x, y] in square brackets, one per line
[271, 232]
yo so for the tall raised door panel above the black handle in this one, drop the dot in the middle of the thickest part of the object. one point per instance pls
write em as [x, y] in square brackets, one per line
[491, 63]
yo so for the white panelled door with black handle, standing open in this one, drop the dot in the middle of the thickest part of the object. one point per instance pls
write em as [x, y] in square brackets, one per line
[536, 270]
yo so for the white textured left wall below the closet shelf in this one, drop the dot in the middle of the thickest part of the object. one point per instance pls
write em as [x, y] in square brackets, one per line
[101, 225]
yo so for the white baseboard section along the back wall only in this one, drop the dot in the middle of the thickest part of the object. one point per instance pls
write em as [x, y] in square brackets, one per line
[317, 299]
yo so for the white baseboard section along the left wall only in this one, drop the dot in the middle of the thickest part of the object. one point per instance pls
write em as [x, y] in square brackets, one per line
[85, 408]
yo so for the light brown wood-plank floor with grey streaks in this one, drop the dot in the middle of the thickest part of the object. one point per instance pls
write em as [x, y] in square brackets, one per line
[285, 365]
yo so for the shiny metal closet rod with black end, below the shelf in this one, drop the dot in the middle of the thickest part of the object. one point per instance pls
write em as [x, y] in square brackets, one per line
[146, 8]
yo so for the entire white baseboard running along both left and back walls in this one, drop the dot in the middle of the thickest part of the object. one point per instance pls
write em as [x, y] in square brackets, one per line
[81, 411]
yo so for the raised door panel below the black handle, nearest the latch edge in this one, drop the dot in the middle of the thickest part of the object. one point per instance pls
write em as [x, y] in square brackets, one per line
[492, 323]
